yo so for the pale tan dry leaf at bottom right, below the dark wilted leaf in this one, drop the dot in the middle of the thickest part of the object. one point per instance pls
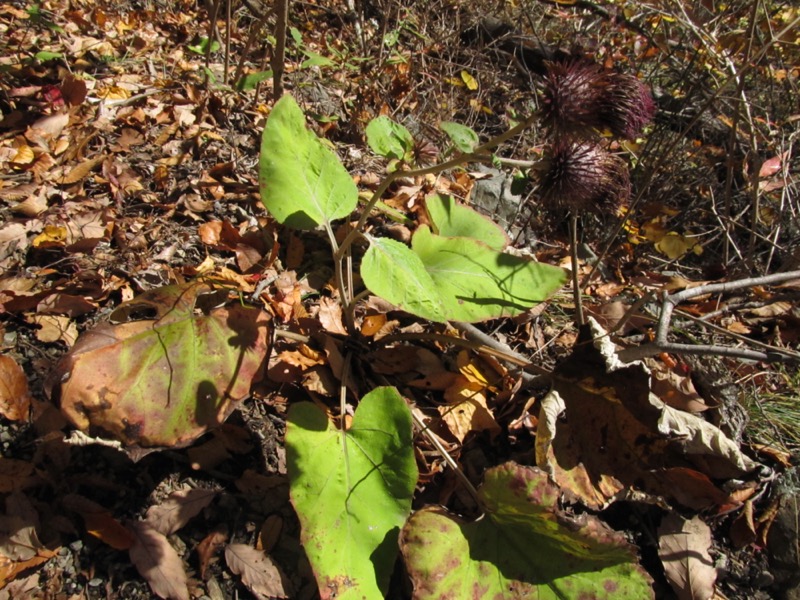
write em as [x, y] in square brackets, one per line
[683, 549]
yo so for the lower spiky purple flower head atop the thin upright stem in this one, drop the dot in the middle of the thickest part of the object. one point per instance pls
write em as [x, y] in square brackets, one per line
[582, 176]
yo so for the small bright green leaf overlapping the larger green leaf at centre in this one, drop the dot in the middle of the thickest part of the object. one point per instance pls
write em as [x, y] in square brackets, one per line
[395, 273]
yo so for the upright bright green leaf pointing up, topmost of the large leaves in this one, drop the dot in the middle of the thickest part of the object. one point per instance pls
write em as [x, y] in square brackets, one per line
[302, 182]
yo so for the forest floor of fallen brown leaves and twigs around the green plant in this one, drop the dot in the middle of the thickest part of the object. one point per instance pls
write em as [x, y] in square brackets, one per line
[129, 160]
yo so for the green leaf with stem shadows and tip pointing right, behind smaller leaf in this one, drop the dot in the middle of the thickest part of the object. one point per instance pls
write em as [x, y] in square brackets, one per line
[476, 282]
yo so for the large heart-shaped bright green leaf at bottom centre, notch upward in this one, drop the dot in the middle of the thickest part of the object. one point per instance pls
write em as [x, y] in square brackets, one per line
[352, 491]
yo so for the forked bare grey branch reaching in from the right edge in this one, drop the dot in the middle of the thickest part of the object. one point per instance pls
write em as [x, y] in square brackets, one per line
[670, 301]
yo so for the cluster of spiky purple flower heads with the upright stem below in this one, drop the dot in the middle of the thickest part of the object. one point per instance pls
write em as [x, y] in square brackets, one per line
[581, 100]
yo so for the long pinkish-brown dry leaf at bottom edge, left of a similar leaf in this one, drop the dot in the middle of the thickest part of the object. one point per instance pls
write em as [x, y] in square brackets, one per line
[157, 561]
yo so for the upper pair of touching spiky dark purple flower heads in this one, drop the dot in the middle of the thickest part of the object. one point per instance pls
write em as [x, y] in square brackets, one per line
[580, 97]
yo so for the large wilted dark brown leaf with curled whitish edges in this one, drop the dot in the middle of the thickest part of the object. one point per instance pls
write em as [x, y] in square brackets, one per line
[618, 433]
